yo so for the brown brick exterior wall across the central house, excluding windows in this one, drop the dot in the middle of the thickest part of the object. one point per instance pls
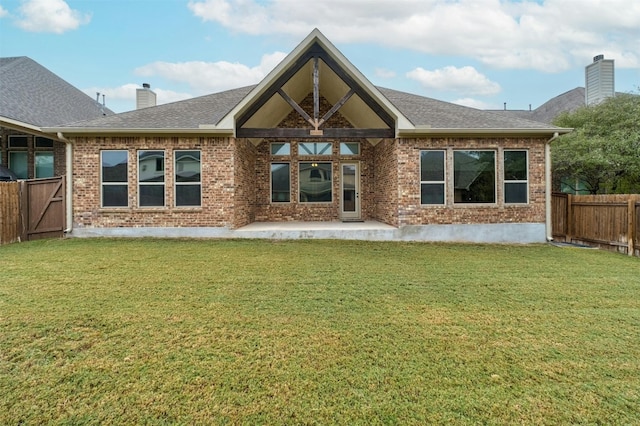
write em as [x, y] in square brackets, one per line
[236, 177]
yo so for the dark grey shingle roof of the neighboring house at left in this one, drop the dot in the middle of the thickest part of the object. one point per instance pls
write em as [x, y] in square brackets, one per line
[31, 94]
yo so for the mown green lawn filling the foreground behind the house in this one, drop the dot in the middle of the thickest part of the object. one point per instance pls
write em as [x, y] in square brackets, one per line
[316, 332]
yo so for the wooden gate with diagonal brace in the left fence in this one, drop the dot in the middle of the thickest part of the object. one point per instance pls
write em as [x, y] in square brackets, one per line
[45, 211]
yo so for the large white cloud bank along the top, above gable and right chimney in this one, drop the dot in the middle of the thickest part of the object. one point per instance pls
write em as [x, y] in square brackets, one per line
[525, 34]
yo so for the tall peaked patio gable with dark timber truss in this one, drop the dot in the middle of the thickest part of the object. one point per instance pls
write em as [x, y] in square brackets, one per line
[315, 69]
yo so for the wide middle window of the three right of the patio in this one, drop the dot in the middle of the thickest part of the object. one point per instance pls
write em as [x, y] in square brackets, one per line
[474, 176]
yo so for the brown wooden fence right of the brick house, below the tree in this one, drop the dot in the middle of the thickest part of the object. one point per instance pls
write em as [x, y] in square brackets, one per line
[607, 221]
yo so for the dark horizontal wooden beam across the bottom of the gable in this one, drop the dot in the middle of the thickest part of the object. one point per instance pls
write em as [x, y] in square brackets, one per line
[308, 133]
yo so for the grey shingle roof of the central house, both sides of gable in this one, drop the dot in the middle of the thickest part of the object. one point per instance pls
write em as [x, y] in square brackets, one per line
[210, 109]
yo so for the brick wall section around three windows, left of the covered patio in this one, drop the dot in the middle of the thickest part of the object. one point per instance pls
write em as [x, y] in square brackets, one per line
[218, 189]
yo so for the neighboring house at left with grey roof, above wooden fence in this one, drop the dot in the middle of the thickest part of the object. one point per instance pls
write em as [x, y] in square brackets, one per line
[32, 97]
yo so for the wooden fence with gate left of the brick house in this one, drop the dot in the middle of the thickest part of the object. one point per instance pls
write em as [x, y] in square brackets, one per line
[32, 209]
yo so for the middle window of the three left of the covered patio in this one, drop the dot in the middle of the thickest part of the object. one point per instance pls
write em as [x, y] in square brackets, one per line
[151, 178]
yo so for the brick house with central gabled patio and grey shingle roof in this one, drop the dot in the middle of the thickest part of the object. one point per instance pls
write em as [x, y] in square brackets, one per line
[313, 142]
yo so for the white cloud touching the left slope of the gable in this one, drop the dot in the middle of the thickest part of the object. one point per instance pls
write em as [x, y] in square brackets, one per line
[208, 77]
